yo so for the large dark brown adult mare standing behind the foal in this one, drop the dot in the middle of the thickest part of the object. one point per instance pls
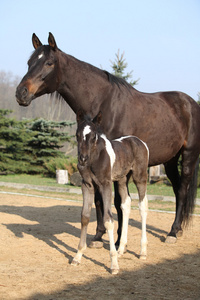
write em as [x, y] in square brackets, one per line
[168, 122]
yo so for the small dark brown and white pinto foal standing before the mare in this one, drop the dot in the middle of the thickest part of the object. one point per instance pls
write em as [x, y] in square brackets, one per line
[100, 162]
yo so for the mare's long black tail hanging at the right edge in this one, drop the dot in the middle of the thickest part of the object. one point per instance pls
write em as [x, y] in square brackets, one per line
[189, 204]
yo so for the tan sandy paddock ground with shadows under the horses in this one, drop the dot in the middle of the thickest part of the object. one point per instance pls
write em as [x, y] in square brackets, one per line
[39, 238]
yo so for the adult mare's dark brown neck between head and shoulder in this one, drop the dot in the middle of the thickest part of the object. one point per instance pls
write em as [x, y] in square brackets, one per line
[80, 84]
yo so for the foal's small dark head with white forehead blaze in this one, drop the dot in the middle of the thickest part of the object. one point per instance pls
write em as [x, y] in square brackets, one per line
[87, 136]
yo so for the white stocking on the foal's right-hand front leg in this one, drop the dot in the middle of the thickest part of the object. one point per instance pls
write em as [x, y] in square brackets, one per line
[113, 252]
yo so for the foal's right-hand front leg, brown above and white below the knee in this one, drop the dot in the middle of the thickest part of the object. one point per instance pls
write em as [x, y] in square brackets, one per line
[106, 191]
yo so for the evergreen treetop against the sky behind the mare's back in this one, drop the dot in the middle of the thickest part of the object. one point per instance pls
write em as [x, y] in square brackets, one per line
[119, 66]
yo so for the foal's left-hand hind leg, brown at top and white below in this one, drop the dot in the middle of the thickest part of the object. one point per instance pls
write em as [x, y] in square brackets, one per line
[126, 207]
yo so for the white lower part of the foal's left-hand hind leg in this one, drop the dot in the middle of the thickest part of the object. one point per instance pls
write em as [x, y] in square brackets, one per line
[126, 207]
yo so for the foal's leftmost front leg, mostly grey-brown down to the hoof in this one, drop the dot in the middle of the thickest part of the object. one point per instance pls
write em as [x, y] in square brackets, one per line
[88, 197]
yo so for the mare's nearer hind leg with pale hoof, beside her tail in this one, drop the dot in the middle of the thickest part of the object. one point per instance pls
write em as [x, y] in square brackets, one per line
[185, 196]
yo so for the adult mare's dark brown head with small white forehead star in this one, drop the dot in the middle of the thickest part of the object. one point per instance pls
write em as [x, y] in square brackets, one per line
[42, 76]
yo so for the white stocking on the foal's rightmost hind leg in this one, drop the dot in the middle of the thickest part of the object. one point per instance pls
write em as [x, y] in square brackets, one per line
[143, 206]
